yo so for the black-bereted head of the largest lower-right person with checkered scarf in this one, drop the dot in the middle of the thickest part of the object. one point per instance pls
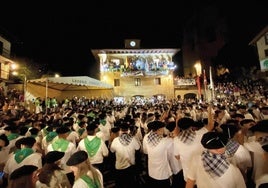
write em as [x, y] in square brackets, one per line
[214, 141]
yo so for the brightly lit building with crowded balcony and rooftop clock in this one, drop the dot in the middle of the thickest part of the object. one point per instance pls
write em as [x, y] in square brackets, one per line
[137, 72]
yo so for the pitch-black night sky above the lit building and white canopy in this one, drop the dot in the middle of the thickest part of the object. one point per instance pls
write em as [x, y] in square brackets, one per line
[61, 36]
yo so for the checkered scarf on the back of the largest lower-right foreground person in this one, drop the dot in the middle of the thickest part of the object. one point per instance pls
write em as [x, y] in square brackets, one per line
[215, 164]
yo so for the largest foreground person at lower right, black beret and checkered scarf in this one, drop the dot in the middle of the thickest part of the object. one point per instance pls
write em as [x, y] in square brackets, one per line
[211, 168]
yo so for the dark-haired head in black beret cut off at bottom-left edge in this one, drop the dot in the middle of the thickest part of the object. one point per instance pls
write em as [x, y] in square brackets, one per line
[25, 176]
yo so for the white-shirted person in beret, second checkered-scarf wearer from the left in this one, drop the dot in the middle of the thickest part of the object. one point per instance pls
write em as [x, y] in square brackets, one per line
[160, 151]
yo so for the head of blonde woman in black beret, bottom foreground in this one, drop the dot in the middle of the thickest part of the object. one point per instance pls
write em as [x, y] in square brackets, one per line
[79, 163]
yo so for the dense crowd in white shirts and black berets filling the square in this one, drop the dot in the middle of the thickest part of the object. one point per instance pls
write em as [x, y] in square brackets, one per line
[169, 143]
